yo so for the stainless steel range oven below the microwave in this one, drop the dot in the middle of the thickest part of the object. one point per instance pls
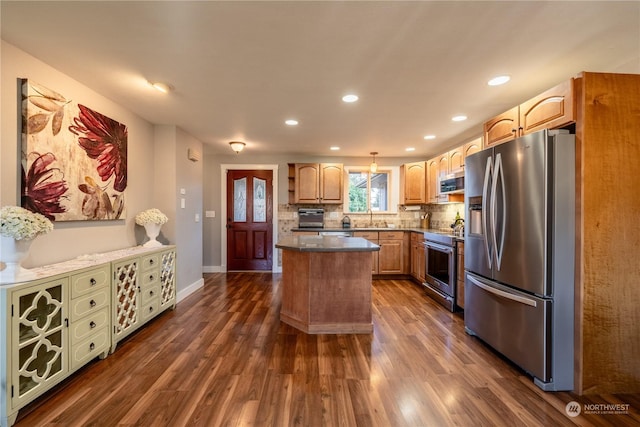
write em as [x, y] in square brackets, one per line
[440, 272]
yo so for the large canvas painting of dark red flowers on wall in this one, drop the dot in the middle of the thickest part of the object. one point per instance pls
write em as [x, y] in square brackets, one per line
[74, 159]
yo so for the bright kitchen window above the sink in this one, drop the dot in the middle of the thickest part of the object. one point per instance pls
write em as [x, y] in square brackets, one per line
[370, 192]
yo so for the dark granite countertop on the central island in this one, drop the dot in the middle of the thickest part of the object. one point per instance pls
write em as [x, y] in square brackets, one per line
[327, 244]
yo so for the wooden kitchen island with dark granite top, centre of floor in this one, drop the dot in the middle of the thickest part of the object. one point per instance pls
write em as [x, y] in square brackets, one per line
[326, 284]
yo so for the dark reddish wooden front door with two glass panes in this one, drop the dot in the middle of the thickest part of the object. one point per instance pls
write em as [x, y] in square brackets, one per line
[249, 220]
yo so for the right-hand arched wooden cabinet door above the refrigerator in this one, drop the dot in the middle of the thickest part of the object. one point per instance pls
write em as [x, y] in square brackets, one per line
[551, 109]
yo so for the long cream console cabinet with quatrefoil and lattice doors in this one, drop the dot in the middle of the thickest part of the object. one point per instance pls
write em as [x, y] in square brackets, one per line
[73, 312]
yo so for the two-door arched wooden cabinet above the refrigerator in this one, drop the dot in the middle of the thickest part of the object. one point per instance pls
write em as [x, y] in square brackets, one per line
[551, 109]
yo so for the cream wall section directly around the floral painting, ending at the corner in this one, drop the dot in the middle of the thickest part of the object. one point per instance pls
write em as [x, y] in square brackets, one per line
[71, 238]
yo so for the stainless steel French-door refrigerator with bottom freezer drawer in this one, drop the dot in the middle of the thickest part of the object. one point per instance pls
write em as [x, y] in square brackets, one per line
[519, 253]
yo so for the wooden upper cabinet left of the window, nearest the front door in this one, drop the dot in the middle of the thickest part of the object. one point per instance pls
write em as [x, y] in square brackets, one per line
[316, 183]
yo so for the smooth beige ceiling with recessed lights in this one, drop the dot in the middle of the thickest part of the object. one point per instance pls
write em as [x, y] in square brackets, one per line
[240, 69]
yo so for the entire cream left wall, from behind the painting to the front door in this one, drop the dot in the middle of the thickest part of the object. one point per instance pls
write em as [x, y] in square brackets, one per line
[157, 168]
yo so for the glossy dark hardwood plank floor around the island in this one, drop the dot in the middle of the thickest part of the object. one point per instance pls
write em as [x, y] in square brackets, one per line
[222, 357]
